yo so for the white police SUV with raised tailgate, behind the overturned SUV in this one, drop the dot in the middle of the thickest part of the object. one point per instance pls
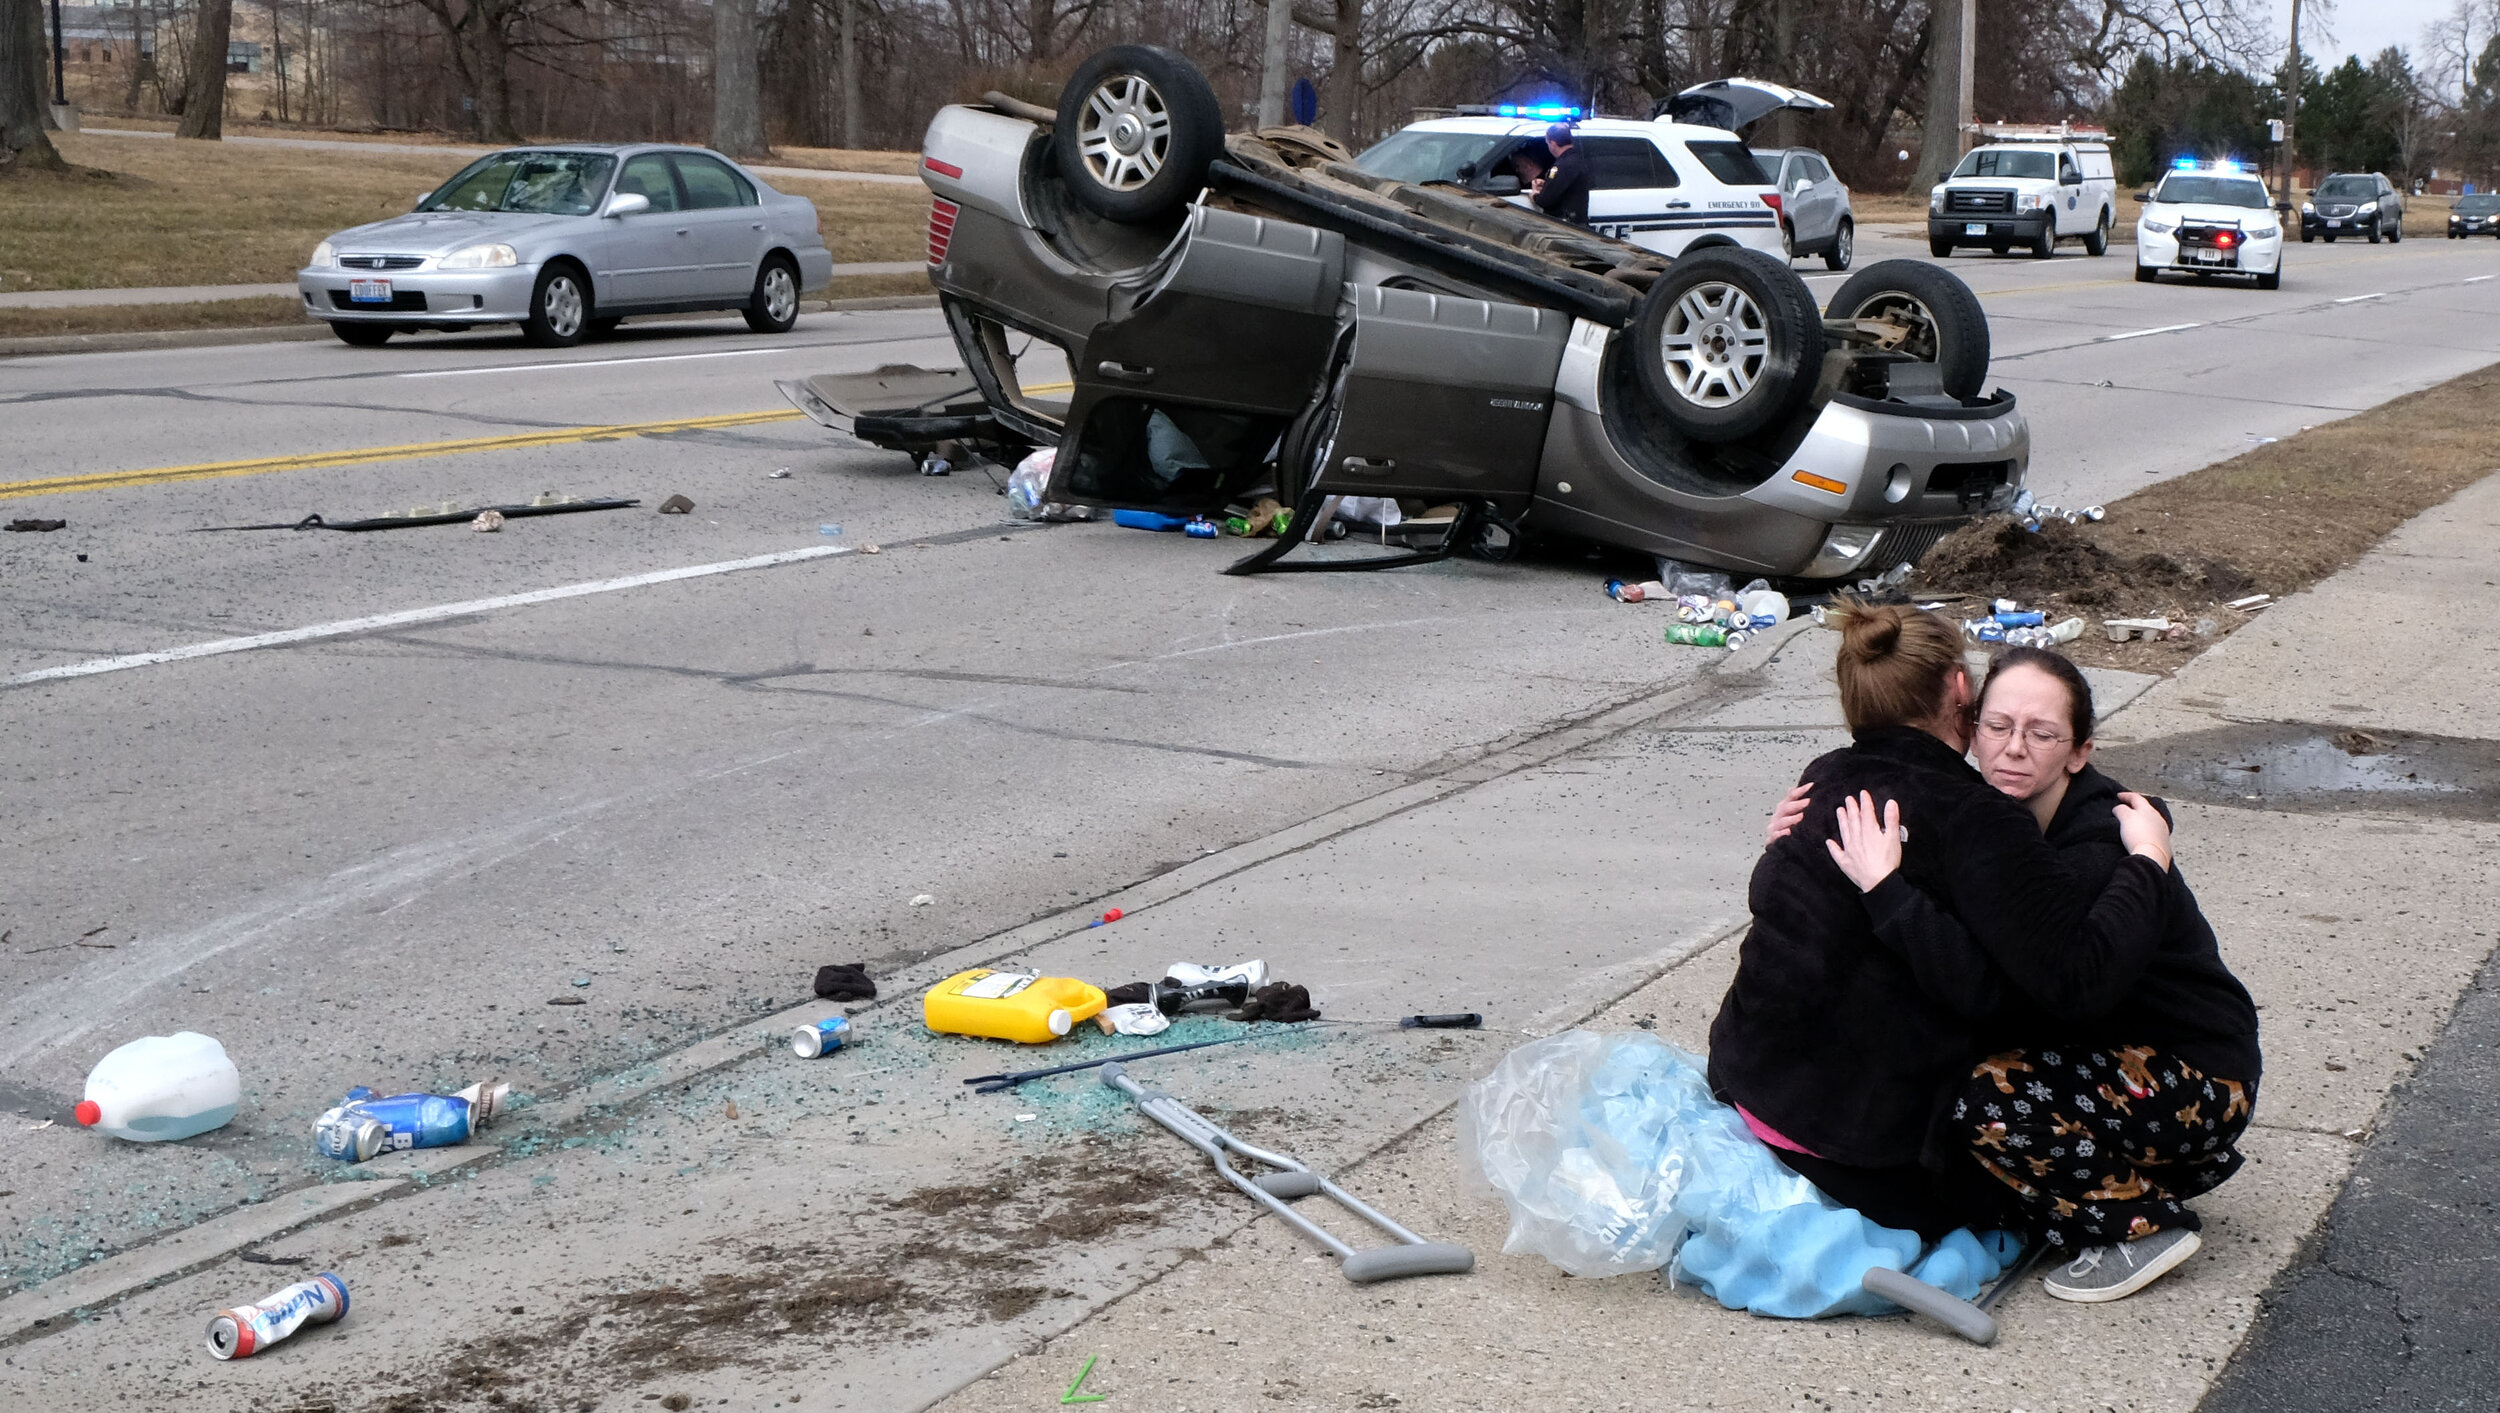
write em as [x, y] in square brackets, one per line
[1674, 184]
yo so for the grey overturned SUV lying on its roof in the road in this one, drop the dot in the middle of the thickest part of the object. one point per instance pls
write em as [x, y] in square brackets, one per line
[1256, 314]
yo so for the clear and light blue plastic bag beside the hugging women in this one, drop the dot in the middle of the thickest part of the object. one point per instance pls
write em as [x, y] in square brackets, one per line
[1614, 1157]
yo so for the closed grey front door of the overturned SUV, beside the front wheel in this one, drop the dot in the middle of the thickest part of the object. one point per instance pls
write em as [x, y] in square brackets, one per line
[1444, 399]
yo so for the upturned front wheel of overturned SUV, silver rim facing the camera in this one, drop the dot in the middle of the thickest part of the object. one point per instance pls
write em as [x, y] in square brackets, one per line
[1729, 341]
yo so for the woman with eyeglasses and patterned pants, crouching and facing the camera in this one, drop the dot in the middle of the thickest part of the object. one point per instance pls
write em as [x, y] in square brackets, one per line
[2104, 1134]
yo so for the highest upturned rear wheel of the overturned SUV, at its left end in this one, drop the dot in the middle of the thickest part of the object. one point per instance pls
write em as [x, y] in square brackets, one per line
[1139, 129]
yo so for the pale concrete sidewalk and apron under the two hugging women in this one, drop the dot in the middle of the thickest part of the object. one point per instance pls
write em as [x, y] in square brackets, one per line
[876, 1237]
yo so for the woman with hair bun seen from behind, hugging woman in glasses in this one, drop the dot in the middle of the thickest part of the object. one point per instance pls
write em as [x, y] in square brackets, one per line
[1829, 1042]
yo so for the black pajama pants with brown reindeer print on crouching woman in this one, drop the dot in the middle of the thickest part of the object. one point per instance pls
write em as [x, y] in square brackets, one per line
[2104, 1144]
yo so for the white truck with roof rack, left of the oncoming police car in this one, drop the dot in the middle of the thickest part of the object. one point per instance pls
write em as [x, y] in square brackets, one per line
[2026, 194]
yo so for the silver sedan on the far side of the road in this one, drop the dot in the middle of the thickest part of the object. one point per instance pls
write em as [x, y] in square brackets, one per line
[569, 241]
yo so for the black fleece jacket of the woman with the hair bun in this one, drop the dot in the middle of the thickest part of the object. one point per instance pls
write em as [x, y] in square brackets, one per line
[1826, 1032]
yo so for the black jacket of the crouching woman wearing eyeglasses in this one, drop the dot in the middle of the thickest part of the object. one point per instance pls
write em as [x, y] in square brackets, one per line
[2181, 1002]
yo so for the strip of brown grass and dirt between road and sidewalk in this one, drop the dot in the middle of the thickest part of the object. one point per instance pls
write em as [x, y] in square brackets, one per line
[2269, 521]
